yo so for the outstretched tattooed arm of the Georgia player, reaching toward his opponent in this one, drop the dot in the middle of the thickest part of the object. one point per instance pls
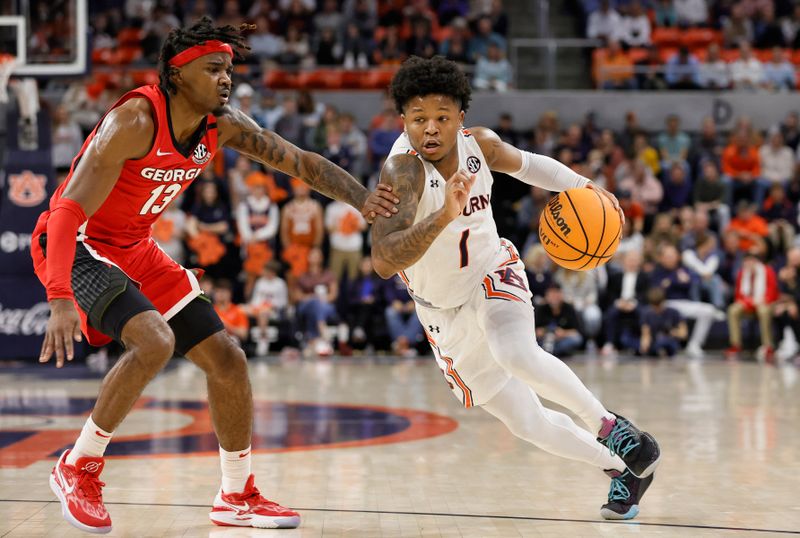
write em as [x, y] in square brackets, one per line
[238, 131]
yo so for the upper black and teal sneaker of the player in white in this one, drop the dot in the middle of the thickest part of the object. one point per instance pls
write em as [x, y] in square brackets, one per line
[639, 450]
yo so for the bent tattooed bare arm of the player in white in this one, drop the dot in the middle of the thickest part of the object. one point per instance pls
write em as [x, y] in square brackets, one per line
[398, 243]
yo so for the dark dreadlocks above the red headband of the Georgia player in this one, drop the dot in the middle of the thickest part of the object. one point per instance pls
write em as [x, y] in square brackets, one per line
[180, 39]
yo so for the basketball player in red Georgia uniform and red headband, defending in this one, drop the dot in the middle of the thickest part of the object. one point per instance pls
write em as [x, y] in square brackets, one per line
[105, 276]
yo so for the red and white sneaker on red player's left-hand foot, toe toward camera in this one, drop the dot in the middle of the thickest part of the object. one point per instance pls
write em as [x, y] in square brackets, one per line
[80, 491]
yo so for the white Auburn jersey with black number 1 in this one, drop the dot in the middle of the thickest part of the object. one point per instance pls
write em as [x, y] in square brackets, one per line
[459, 258]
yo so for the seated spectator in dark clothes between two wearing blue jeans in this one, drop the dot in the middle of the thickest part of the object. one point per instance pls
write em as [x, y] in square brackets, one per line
[364, 307]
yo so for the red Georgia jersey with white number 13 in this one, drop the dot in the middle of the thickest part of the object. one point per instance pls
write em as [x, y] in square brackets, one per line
[145, 186]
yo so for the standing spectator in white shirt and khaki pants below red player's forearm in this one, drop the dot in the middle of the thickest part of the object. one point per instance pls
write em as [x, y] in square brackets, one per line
[345, 227]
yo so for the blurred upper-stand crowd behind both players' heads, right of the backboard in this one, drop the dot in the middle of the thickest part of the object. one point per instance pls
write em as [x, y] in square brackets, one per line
[351, 34]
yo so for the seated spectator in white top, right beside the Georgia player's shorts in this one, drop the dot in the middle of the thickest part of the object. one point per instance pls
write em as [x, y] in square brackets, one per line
[267, 303]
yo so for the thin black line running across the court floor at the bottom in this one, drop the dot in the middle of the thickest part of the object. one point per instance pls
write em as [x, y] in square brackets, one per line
[442, 514]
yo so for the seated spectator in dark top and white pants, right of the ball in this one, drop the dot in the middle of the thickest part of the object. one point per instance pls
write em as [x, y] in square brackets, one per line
[682, 294]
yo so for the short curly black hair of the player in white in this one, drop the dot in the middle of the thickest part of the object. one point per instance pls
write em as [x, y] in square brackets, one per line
[419, 77]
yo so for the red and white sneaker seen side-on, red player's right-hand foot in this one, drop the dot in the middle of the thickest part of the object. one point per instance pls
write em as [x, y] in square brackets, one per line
[250, 509]
